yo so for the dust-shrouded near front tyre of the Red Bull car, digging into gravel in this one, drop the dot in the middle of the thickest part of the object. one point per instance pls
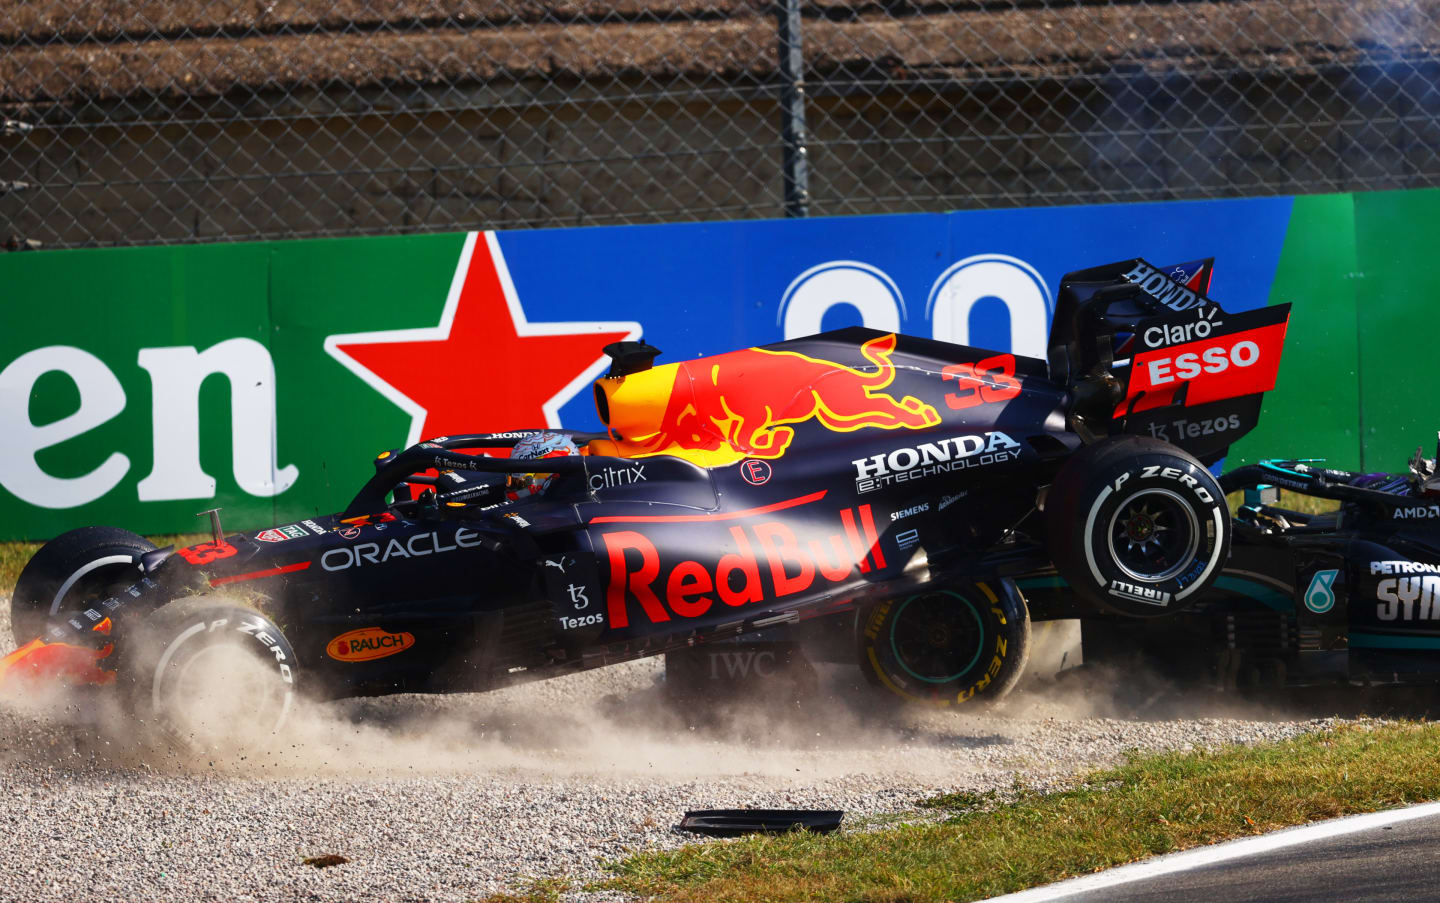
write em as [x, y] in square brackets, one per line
[208, 675]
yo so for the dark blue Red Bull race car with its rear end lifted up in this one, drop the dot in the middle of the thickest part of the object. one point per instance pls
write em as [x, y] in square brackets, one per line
[847, 472]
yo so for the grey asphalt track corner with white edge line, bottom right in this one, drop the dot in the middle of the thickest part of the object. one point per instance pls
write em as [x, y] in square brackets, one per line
[1386, 856]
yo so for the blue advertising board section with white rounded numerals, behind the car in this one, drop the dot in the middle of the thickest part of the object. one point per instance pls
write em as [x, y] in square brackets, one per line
[983, 277]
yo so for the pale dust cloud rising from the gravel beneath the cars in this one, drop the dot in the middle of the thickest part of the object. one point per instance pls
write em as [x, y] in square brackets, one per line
[617, 721]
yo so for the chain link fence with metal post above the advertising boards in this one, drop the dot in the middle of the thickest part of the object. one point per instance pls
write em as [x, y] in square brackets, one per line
[136, 122]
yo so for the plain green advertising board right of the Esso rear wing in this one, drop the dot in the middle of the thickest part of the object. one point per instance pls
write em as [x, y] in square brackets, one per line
[1360, 374]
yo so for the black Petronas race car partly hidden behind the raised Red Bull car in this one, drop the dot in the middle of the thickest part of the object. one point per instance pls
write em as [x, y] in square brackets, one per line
[1344, 597]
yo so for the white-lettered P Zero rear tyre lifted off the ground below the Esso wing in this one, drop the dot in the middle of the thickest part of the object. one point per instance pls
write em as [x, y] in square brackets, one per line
[1137, 526]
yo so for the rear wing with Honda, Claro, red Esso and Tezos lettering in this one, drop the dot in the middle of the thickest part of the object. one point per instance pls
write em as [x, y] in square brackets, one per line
[1151, 355]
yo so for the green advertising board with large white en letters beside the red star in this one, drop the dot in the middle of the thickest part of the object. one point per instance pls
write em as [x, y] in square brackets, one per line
[145, 385]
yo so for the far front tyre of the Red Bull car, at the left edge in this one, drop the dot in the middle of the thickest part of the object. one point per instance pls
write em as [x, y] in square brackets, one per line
[70, 570]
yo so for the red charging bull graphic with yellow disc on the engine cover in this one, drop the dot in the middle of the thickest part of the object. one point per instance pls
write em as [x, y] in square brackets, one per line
[716, 411]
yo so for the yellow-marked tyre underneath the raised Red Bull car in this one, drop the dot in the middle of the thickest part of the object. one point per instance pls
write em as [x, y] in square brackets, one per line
[960, 644]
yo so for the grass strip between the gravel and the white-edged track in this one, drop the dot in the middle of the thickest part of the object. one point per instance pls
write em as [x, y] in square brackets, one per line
[1151, 806]
